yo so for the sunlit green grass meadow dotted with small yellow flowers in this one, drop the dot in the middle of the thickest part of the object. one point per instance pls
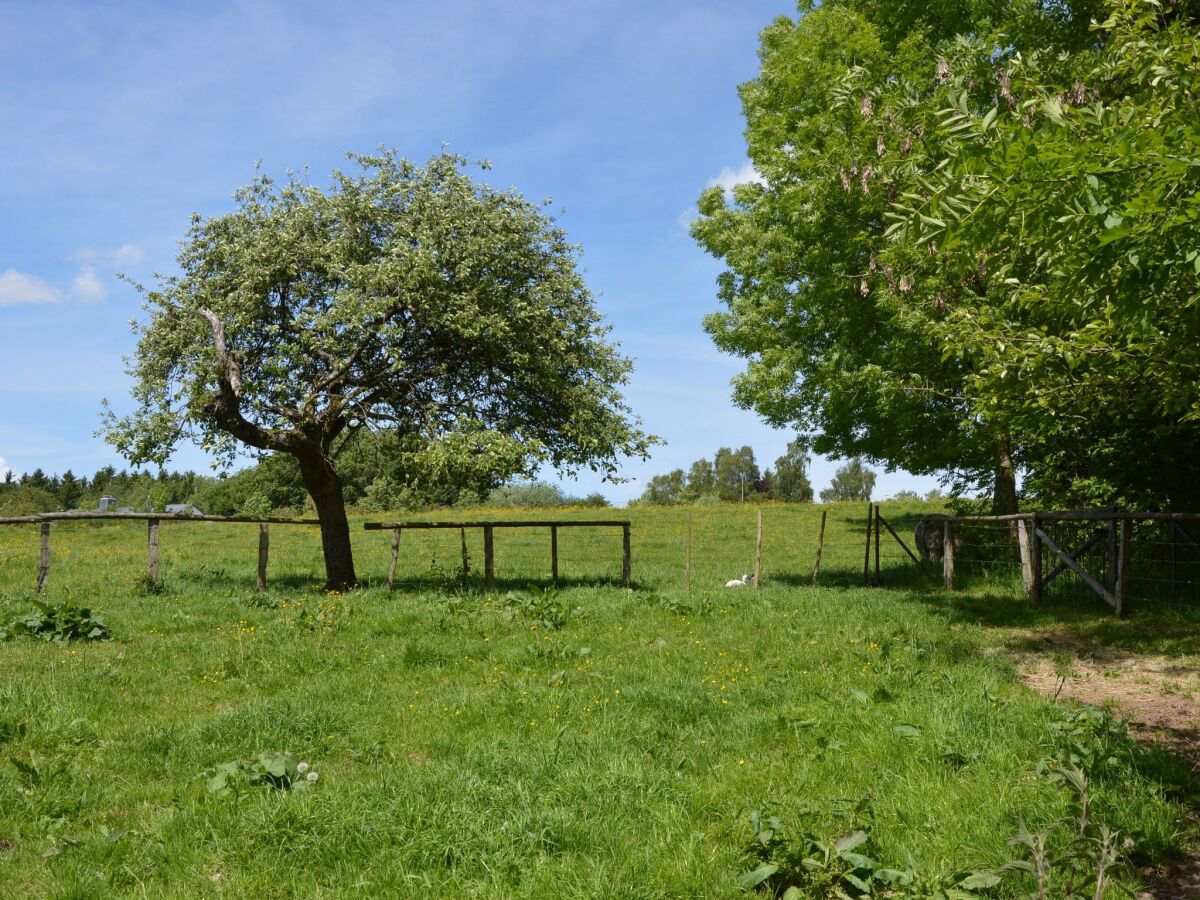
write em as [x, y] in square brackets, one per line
[593, 742]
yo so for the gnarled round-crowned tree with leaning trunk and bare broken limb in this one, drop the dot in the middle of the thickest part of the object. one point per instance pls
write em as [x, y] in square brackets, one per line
[405, 298]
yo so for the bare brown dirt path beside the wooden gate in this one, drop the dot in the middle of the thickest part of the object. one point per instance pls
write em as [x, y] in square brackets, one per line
[1160, 697]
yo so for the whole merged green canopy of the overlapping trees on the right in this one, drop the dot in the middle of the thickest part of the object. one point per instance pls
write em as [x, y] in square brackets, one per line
[919, 165]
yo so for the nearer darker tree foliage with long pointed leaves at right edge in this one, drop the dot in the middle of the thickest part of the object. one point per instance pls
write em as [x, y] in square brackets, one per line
[1072, 190]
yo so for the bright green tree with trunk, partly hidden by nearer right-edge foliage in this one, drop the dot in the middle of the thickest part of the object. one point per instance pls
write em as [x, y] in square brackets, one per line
[833, 344]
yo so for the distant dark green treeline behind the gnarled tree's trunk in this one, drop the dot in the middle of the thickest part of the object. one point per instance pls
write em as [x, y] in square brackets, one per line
[272, 487]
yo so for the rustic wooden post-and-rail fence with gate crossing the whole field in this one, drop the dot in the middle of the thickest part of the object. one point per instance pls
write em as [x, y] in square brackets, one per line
[1047, 556]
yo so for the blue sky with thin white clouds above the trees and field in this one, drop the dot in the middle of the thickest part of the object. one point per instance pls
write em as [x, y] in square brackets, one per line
[125, 118]
